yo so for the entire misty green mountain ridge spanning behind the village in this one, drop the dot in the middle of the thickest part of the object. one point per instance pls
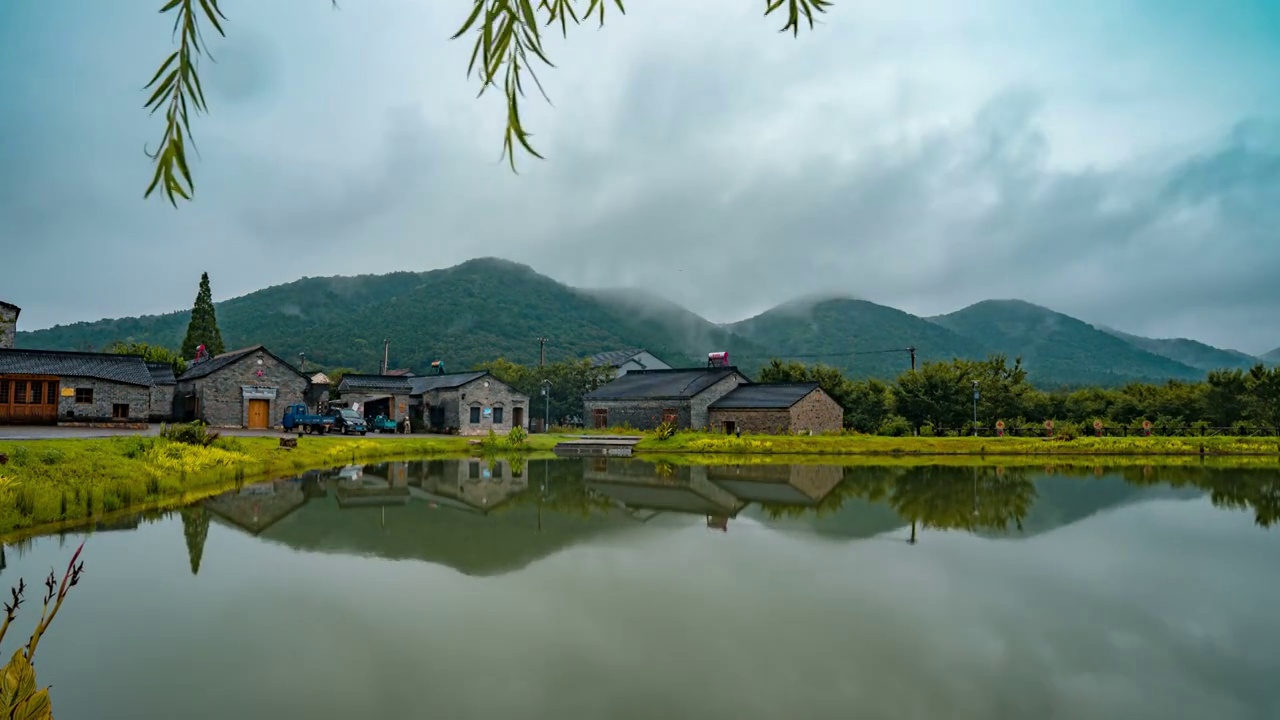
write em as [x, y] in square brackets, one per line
[490, 308]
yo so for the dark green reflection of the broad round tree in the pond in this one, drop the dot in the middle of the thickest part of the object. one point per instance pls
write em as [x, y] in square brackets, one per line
[943, 499]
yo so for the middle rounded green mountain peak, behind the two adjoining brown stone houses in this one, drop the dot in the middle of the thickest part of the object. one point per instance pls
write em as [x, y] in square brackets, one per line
[863, 339]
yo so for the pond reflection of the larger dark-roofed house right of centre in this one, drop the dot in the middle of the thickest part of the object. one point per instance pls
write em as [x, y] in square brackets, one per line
[638, 487]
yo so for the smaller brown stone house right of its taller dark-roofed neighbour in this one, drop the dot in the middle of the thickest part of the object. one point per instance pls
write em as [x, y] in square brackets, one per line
[778, 409]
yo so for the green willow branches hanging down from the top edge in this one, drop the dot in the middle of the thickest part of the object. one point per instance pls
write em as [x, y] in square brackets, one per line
[509, 45]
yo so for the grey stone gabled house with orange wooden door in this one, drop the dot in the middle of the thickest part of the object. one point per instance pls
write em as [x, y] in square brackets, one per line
[243, 389]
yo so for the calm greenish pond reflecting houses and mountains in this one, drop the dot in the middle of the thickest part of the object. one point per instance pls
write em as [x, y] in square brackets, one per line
[624, 590]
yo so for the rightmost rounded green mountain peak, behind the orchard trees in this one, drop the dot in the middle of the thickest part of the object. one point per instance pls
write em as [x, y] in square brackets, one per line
[1058, 349]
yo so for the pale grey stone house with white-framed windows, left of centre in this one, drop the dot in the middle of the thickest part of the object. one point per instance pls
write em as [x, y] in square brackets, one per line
[469, 404]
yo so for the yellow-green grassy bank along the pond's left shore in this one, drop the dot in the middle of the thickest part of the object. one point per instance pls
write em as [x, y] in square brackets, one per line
[74, 481]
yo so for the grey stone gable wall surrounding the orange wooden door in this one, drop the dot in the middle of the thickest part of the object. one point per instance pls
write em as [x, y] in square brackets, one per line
[222, 394]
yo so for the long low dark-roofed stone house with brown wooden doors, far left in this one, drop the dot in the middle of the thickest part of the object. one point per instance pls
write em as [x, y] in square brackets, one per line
[60, 388]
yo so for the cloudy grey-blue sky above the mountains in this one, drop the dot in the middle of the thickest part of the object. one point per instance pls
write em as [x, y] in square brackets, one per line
[1114, 160]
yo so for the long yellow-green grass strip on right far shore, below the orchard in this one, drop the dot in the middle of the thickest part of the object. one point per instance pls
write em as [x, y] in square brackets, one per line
[710, 444]
